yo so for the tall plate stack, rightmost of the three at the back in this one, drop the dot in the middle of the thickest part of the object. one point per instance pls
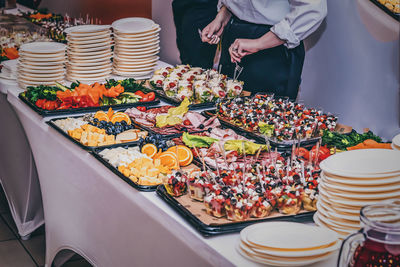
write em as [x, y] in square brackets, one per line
[136, 47]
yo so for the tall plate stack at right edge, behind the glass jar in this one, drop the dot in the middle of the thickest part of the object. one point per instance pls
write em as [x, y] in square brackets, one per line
[351, 180]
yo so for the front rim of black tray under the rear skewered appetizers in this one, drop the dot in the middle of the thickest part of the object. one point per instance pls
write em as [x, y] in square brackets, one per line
[281, 146]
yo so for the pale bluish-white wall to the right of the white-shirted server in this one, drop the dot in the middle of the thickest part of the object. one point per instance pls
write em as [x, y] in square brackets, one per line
[347, 71]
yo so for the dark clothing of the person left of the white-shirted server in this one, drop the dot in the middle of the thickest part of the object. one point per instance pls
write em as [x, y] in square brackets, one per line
[189, 17]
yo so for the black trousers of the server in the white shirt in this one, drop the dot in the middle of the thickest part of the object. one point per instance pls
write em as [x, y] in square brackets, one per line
[276, 70]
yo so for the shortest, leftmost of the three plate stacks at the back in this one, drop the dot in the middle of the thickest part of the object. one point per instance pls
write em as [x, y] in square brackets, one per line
[41, 63]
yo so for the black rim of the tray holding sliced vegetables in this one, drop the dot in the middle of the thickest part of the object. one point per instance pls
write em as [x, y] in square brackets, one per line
[71, 111]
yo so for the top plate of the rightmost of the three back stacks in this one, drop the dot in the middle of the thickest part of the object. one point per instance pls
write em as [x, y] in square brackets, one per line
[133, 25]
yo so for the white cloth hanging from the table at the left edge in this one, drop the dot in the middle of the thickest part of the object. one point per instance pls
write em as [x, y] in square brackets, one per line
[18, 175]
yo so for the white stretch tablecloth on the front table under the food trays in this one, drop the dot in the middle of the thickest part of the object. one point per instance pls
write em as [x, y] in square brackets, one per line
[91, 211]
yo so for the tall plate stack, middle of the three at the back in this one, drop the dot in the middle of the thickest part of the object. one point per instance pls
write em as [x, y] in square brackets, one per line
[89, 52]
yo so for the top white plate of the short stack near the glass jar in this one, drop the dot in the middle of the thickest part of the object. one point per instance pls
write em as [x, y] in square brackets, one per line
[288, 235]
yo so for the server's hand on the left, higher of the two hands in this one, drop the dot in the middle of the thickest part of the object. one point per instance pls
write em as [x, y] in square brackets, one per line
[213, 31]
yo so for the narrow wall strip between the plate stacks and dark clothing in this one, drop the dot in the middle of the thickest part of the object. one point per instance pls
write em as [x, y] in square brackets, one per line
[162, 14]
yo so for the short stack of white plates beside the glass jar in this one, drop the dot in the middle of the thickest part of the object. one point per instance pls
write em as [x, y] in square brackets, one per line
[287, 243]
